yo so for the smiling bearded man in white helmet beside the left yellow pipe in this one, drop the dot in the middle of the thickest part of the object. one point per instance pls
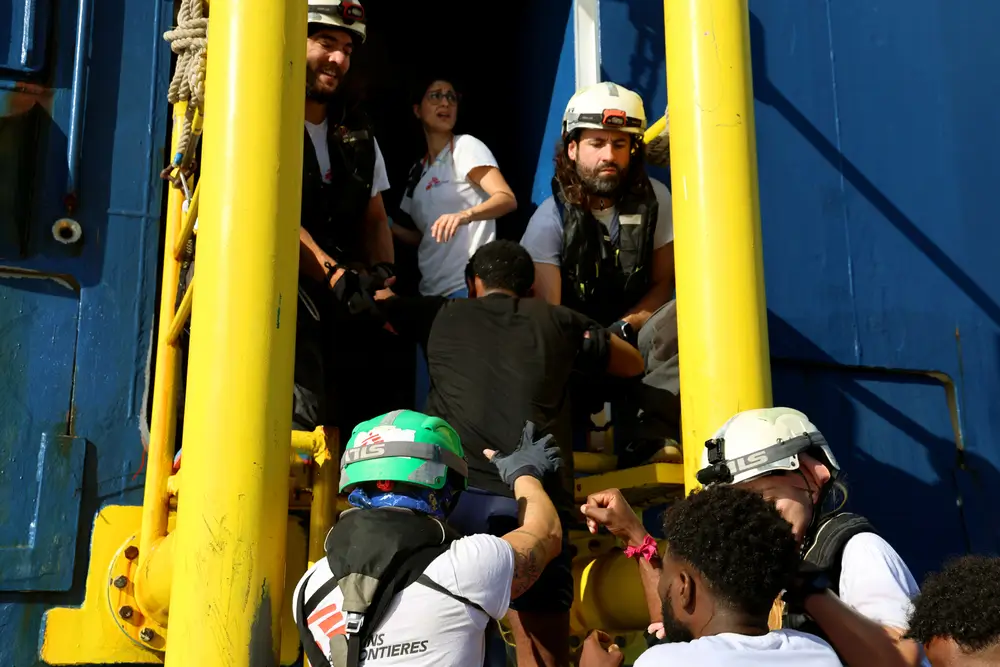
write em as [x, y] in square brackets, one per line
[344, 227]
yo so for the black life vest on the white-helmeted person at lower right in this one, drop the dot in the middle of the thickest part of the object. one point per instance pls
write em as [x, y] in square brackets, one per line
[824, 557]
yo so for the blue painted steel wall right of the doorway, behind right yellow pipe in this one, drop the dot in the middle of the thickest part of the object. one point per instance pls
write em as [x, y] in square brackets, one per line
[877, 179]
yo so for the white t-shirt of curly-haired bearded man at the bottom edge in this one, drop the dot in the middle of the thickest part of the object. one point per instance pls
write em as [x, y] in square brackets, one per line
[780, 647]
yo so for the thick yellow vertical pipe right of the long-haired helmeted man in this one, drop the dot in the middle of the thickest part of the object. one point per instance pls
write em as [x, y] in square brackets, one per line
[721, 313]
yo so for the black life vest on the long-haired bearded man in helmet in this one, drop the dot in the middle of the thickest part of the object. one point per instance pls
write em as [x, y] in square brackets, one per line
[602, 276]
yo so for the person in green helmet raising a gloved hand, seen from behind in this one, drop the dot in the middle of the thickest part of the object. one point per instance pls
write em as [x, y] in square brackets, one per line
[398, 586]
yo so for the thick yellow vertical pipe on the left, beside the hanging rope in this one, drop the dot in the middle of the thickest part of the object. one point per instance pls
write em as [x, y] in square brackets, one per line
[226, 598]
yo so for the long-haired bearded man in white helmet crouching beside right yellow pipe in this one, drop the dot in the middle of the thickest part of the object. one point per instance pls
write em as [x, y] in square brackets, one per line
[603, 245]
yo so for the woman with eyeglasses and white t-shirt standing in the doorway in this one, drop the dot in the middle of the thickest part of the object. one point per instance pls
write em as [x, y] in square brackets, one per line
[454, 195]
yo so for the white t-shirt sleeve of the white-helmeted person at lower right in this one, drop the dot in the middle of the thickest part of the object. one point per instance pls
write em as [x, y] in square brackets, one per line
[875, 581]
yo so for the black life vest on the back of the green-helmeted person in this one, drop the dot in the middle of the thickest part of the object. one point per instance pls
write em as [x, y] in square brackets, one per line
[373, 554]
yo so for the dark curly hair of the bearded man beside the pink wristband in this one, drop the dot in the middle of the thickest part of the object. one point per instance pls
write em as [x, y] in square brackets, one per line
[738, 541]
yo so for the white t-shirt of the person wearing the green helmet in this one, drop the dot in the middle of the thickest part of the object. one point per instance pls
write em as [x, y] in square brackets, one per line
[422, 627]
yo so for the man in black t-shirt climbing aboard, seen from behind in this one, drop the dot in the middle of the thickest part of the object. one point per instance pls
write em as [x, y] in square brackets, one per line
[495, 361]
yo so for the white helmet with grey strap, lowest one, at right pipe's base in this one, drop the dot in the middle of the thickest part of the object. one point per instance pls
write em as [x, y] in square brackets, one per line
[758, 442]
